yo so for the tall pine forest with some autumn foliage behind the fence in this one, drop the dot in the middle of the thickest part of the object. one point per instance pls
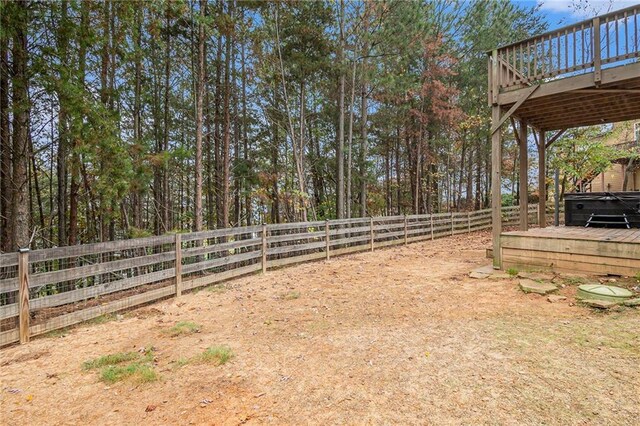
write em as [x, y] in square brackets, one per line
[129, 118]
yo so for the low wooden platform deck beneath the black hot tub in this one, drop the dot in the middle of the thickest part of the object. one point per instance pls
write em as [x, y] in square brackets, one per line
[573, 249]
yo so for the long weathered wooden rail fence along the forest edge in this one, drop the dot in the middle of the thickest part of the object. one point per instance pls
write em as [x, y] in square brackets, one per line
[49, 289]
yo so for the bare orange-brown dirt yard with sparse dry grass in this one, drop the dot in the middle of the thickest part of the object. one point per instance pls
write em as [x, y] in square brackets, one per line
[399, 336]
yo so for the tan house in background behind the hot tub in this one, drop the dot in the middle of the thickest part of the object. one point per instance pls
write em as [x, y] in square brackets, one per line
[625, 136]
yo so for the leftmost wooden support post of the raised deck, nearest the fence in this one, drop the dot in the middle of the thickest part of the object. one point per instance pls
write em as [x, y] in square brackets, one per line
[496, 184]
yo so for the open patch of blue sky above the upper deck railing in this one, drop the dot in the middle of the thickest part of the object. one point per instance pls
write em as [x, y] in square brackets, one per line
[565, 12]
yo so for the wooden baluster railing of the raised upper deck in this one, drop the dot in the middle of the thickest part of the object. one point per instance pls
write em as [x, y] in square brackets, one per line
[588, 46]
